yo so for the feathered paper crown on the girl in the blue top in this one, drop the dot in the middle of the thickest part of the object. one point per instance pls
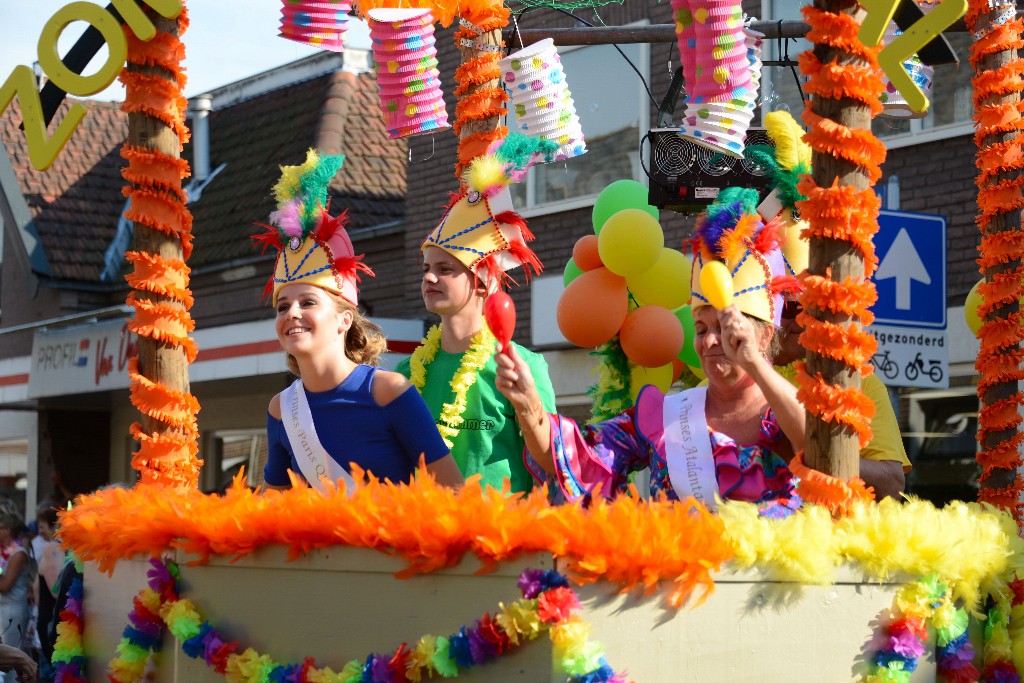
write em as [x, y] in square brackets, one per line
[313, 246]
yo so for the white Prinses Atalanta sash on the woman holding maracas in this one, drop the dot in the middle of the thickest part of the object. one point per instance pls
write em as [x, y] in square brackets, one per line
[688, 447]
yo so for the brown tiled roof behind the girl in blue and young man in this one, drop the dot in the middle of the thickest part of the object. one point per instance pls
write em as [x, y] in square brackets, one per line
[335, 113]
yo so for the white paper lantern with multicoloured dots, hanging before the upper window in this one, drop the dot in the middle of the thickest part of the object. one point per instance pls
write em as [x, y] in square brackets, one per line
[541, 99]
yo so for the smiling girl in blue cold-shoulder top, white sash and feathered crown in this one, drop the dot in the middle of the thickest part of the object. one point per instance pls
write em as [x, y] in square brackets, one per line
[344, 410]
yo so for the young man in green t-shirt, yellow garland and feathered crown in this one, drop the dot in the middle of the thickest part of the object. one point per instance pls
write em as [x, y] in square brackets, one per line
[466, 258]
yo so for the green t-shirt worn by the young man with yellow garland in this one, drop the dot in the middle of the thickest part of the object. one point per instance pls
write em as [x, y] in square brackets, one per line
[490, 442]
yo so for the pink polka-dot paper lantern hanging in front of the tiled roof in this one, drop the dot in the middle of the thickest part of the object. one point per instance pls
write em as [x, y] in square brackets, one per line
[408, 81]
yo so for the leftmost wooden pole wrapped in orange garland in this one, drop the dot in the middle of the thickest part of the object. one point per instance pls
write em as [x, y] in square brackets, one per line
[167, 432]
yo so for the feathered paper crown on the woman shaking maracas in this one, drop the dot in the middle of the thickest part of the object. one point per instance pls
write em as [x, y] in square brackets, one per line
[731, 231]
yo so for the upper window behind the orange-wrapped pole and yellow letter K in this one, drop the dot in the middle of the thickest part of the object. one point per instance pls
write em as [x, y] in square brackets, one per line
[950, 113]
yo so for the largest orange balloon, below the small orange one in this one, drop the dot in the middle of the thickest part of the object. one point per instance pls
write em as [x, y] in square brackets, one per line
[593, 308]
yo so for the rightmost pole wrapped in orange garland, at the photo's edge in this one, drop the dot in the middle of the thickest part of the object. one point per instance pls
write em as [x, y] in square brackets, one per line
[998, 84]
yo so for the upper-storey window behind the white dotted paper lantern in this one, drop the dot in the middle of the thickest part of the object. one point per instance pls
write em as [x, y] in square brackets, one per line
[613, 107]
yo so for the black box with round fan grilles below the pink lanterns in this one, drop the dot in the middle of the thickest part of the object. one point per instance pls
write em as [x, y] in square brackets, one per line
[687, 178]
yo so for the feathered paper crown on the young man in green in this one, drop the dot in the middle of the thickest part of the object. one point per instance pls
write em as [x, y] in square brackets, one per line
[481, 228]
